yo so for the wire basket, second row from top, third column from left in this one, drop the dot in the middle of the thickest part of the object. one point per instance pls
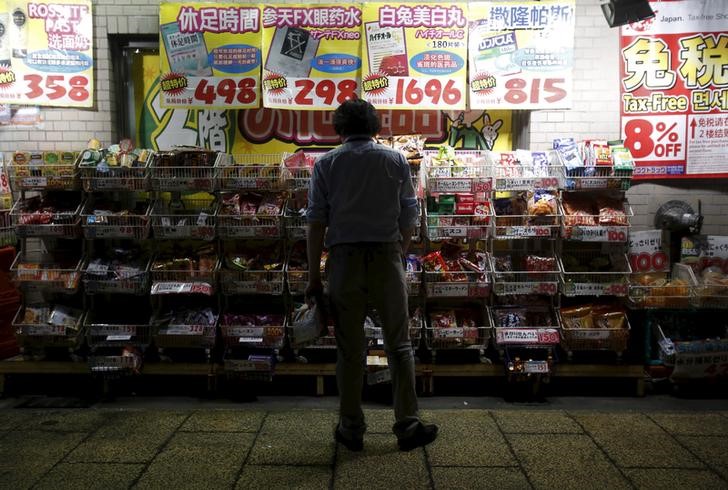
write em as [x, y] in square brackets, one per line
[190, 218]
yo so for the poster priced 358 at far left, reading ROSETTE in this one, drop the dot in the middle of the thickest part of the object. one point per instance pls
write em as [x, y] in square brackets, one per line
[46, 53]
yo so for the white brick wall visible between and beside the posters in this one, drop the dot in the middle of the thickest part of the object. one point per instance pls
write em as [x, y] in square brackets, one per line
[595, 112]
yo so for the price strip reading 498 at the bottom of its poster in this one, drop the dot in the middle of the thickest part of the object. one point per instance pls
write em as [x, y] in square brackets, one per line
[182, 91]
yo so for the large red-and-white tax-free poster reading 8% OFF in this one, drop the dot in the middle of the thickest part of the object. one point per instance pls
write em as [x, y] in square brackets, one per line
[674, 90]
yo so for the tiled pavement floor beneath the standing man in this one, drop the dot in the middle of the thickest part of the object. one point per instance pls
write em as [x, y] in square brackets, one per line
[278, 445]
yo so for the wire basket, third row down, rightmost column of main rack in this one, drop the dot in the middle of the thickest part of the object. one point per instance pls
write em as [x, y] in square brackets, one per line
[614, 282]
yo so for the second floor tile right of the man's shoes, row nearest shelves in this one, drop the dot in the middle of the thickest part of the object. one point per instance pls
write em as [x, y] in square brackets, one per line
[535, 422]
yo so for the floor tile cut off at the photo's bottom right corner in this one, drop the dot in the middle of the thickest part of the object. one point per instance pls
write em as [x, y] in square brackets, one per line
[659, 479]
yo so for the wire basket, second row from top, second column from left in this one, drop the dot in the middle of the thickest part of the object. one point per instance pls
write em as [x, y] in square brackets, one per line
[131, 226]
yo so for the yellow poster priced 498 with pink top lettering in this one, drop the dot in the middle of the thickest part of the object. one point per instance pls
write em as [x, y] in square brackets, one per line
[210, 55]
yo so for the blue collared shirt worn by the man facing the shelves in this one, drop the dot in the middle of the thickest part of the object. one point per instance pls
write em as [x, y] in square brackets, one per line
[362, 191]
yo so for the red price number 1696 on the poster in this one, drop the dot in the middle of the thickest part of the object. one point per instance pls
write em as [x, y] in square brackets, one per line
[427, 93]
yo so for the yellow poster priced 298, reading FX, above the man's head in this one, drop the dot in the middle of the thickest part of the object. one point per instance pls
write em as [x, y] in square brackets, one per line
[311, 55]
